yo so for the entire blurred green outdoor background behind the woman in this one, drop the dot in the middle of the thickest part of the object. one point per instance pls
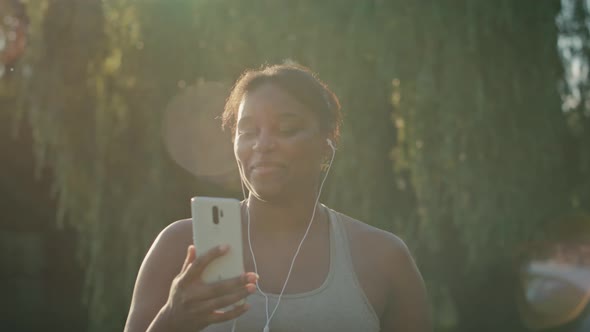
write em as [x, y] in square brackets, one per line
[466, 132]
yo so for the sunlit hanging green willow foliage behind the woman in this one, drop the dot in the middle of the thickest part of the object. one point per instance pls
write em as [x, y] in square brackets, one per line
[452, 134]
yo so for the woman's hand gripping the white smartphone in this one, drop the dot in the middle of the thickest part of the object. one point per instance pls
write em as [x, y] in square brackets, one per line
[193, 304]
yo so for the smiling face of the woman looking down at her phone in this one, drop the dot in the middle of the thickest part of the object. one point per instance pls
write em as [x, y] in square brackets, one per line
[278, 144]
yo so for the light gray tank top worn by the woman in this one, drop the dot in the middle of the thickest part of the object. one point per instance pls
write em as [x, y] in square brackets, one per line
[339, 304]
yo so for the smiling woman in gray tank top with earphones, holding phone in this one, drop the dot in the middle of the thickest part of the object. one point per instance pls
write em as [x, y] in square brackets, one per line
[317, 269]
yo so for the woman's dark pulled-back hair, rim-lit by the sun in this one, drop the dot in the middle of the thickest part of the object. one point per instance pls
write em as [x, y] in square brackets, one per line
[300, 83]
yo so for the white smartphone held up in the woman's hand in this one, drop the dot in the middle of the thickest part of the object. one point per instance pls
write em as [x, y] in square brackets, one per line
[217, 221]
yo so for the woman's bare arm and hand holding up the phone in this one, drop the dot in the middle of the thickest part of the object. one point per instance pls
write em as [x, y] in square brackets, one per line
[170, 294]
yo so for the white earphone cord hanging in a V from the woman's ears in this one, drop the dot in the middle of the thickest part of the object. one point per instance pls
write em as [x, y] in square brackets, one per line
[269, 318]
